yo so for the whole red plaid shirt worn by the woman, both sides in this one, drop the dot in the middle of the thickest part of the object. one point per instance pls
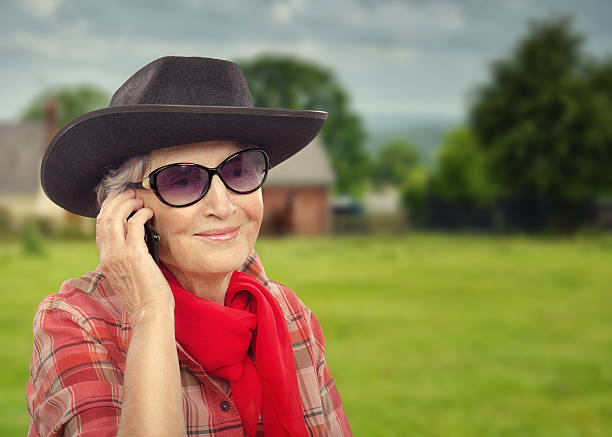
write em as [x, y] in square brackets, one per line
[81, 338]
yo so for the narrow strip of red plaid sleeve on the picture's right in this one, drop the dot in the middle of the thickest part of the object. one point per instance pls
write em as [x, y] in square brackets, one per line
[336, 422]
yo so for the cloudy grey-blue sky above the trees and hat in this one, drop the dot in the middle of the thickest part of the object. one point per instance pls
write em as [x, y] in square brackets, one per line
[412, 58]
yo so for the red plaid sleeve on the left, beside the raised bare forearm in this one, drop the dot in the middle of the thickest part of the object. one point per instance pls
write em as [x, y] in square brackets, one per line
[74, 387]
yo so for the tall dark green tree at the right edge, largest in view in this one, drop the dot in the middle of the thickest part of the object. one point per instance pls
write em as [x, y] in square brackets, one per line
[545, 130]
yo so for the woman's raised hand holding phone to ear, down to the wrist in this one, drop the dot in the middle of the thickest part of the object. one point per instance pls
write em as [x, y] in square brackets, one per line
[125, 260]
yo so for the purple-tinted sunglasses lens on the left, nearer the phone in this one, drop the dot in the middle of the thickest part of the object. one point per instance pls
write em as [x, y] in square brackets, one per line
[181, 184]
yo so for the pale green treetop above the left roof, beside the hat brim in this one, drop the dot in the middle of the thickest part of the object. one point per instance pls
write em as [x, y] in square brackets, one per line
[71, 101]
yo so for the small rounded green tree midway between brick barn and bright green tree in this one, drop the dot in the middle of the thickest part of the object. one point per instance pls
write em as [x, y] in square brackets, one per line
[395, 161]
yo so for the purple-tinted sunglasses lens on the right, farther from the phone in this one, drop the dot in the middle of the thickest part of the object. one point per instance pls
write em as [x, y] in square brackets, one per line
[246, 171]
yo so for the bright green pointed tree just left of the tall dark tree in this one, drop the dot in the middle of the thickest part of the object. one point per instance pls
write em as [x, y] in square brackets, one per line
[461, 175]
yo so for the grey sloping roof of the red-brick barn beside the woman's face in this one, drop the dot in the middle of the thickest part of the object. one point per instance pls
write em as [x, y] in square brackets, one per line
[310, 166]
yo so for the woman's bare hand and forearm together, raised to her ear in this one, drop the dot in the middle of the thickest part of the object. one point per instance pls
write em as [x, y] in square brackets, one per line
[152, 395]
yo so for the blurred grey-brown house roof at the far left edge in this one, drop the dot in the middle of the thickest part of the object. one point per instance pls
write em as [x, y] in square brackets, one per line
[21, 148]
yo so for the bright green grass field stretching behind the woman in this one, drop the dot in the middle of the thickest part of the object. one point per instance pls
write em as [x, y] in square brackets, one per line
[427, 335]
